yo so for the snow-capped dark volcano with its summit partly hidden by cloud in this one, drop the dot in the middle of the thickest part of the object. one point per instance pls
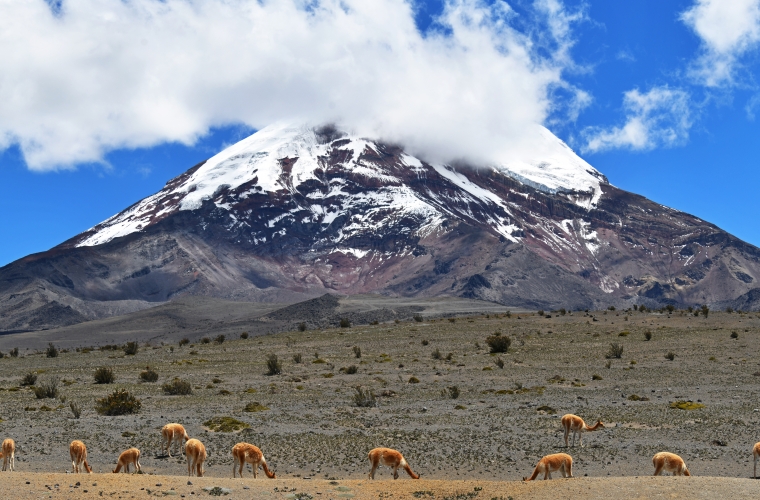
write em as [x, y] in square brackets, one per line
[293, 212]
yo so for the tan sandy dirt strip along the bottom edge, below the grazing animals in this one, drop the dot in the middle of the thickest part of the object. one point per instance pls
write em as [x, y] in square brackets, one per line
[141, 486]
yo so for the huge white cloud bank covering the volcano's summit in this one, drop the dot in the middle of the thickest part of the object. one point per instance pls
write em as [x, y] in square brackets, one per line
[108, 74]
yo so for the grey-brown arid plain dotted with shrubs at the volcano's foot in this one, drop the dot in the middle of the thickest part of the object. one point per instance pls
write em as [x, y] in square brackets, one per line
[502, 420]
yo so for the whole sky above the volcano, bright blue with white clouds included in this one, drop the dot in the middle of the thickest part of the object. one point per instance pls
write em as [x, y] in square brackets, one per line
[660, 96]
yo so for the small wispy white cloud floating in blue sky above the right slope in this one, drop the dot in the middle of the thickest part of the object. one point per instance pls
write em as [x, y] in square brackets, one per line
[658, 118]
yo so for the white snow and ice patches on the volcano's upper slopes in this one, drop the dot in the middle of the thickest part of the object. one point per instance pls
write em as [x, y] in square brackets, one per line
[282, 157]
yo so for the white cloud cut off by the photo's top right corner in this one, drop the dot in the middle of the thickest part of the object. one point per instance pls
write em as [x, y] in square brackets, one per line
[727, 29]
